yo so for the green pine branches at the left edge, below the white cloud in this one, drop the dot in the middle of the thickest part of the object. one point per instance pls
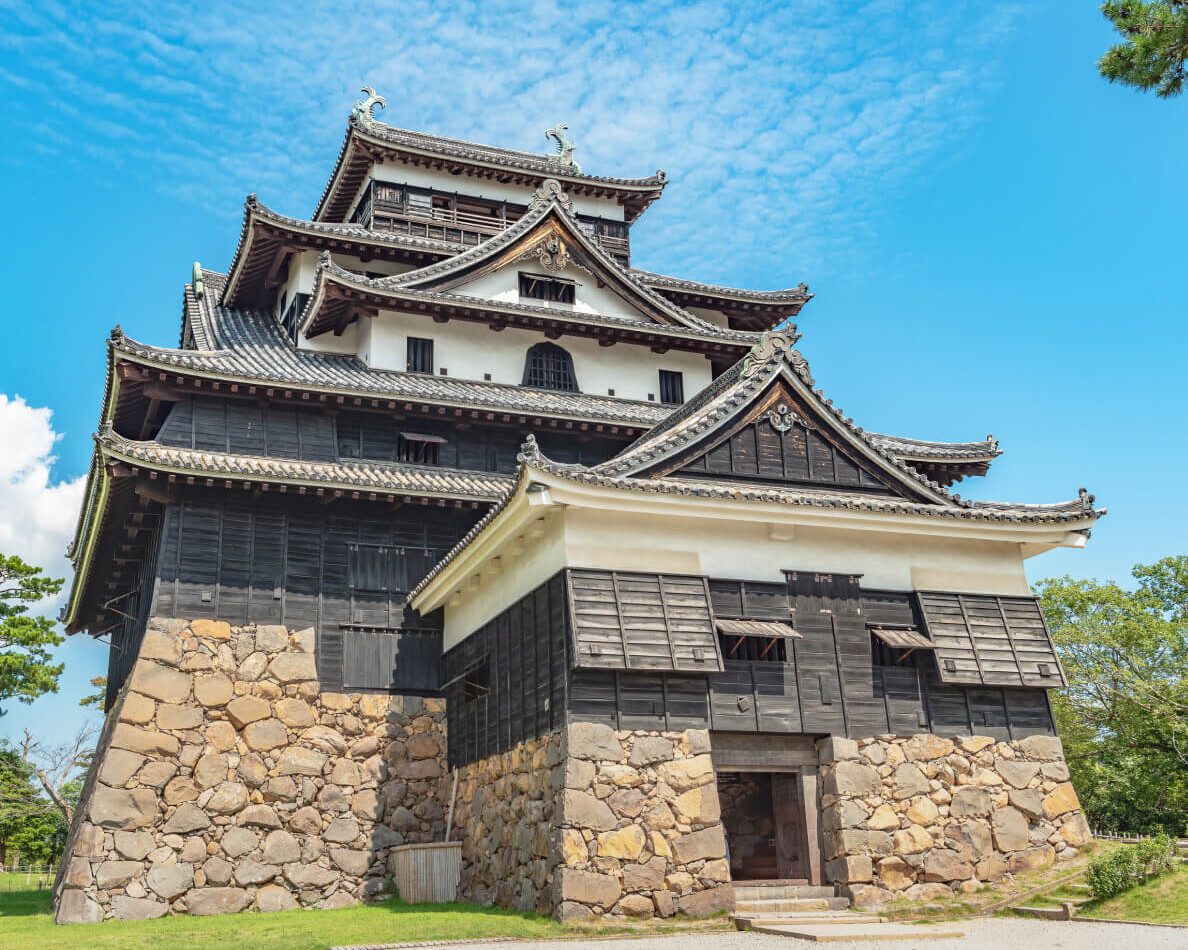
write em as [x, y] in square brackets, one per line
[26, 662]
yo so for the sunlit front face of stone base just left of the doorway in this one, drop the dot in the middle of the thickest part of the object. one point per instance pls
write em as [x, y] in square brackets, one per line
[640, 827]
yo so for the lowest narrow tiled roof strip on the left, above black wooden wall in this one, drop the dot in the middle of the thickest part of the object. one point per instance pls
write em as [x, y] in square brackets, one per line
[350, 476]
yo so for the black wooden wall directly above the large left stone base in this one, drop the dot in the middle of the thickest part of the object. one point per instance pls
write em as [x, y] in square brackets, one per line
[344, 569]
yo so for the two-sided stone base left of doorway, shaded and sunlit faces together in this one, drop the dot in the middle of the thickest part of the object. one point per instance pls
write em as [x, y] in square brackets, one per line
[593, 822]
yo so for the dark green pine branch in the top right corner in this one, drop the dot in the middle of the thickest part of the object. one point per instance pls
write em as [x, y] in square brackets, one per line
[1157, 45]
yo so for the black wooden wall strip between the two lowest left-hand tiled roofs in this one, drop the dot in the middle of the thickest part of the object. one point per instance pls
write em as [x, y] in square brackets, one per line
[312, 435]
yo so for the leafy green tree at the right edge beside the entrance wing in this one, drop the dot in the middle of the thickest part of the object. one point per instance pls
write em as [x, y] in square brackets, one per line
[1124, 717]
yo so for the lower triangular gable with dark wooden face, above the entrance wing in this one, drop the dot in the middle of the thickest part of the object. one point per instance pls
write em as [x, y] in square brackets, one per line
[762, 422]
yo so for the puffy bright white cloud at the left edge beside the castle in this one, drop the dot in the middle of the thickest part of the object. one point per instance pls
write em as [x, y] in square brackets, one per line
[37, 515]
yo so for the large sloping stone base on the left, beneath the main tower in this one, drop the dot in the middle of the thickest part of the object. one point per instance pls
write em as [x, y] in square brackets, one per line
[232, 782]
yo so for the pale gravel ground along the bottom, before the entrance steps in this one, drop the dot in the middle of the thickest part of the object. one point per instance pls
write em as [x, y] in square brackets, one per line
[995, 934]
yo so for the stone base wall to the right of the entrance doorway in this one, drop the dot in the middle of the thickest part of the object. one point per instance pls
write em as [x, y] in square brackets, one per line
[926, 816]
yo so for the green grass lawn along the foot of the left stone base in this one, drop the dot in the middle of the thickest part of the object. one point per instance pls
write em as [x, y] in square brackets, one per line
[26, 922]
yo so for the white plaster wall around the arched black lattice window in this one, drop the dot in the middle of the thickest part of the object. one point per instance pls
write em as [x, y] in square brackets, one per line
[469, 351]
